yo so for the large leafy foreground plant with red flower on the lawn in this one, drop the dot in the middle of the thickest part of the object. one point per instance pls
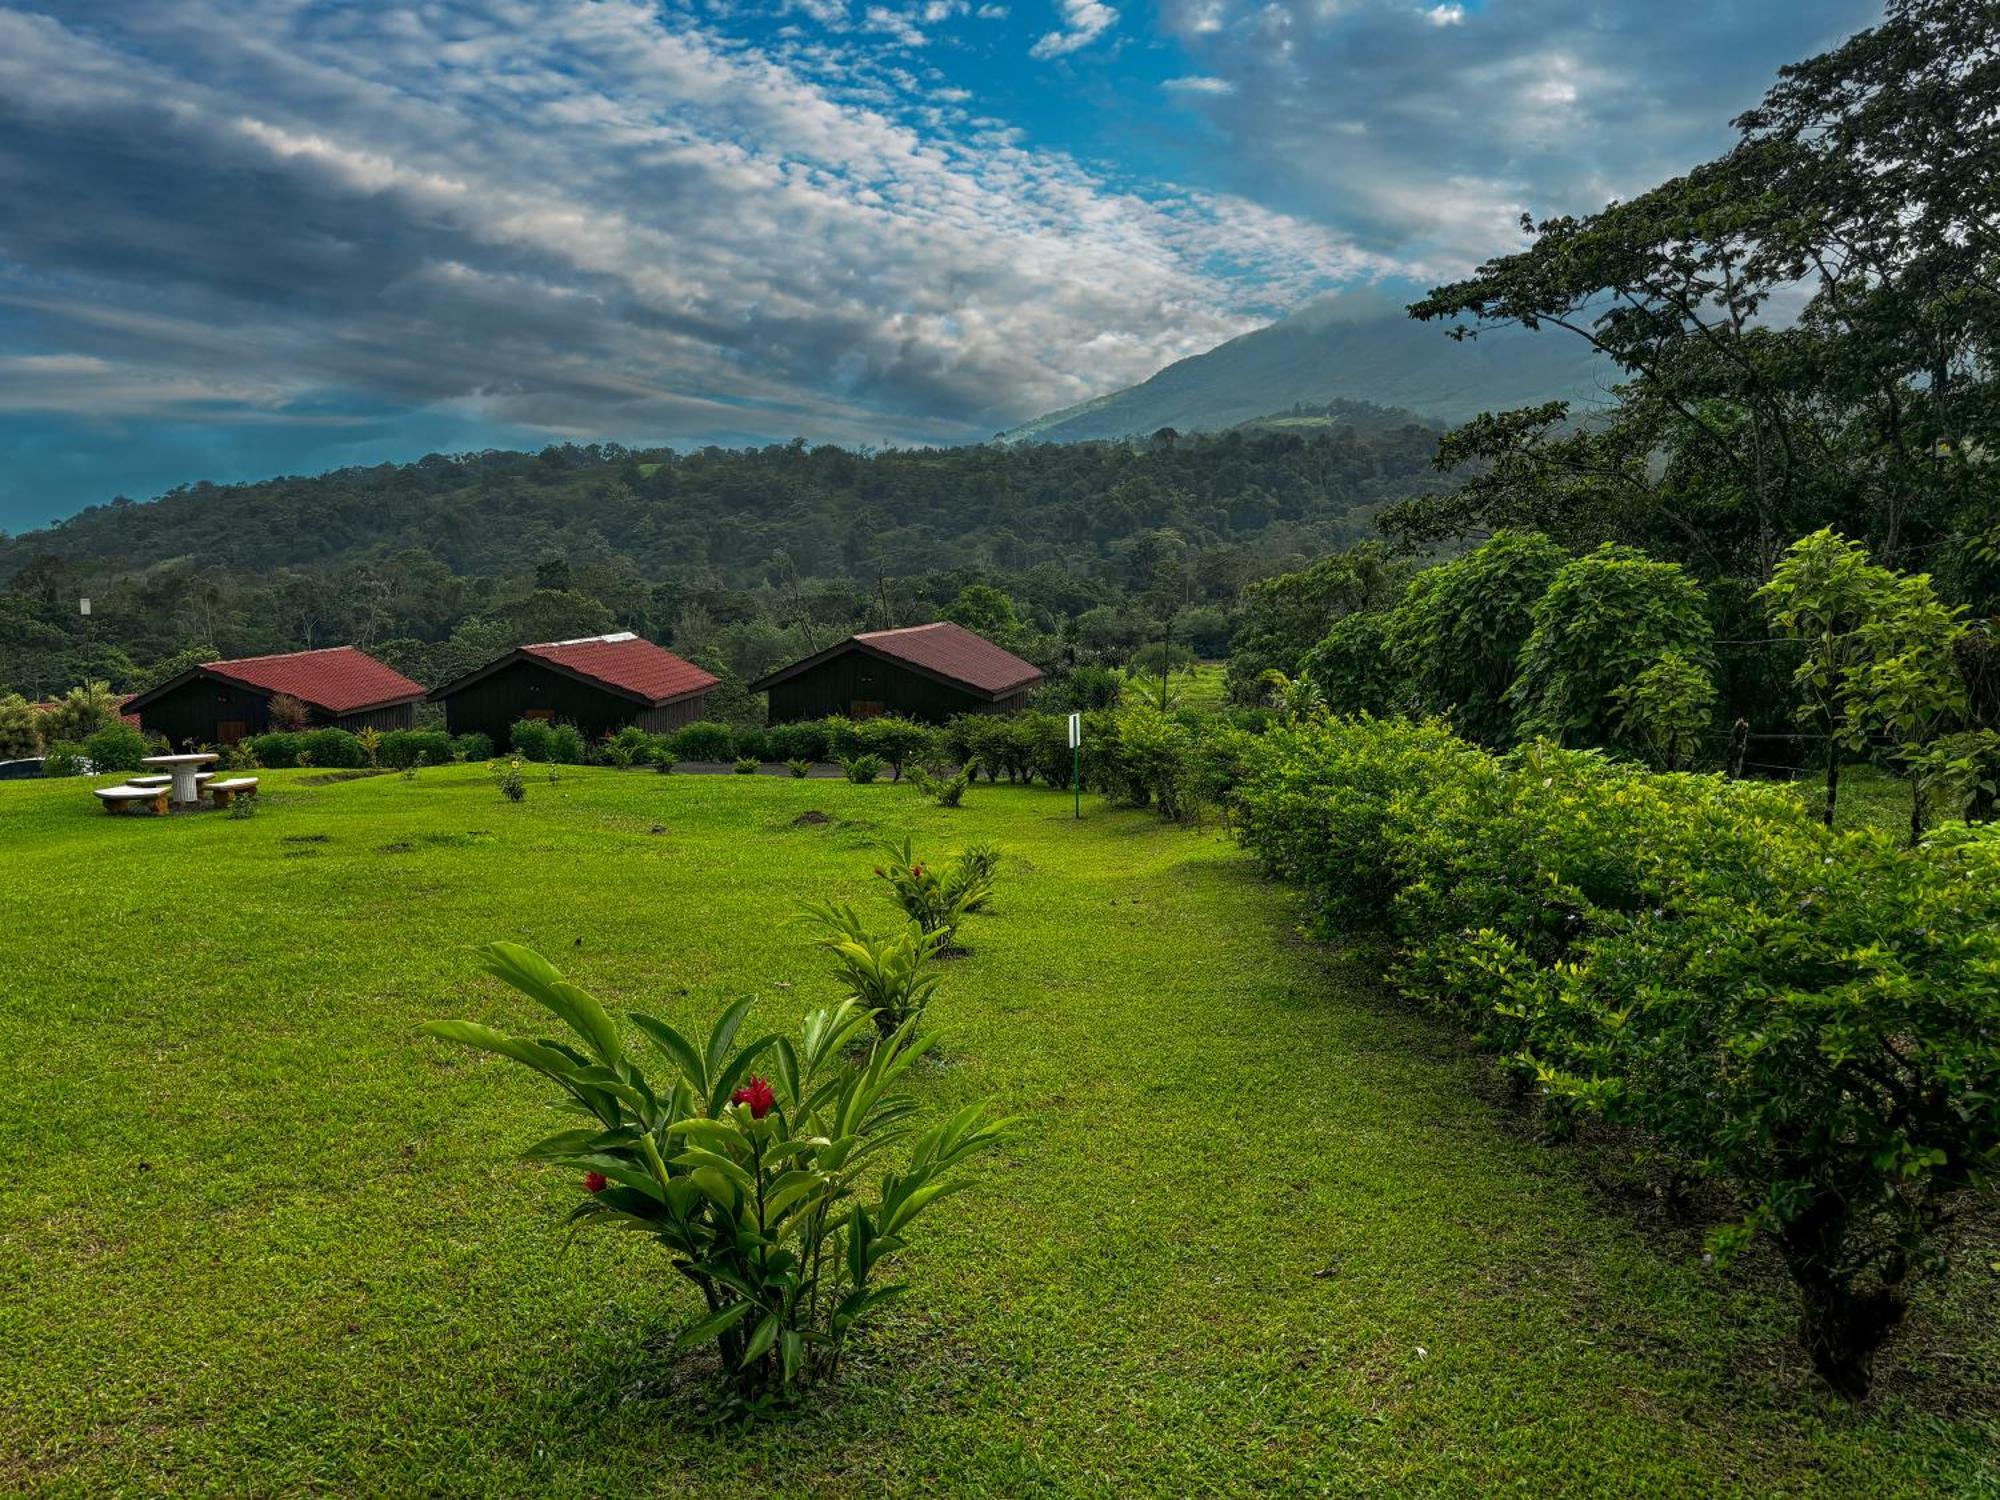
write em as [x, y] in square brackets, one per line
[755, 1183]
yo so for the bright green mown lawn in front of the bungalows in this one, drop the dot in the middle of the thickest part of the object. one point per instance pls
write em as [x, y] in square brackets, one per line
[1267, 1231]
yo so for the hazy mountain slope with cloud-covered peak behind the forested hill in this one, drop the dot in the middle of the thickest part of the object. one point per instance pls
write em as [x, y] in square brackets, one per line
[1353, 347]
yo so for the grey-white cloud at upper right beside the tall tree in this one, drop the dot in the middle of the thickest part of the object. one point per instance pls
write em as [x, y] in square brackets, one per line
[1559, 109]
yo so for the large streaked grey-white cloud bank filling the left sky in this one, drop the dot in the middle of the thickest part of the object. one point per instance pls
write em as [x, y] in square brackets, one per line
[579, 217]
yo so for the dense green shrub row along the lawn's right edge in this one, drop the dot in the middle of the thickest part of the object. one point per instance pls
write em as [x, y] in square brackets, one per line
[1809, 1019]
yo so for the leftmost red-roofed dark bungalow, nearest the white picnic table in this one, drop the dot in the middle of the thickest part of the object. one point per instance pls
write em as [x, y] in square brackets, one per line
[221, 703]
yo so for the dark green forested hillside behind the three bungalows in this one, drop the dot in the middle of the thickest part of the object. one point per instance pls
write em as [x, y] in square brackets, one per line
[741, 555]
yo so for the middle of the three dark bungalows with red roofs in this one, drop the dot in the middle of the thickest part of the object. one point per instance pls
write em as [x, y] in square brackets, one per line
[597, 683]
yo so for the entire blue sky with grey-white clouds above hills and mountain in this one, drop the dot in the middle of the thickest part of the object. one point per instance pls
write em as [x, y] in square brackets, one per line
[265, 237]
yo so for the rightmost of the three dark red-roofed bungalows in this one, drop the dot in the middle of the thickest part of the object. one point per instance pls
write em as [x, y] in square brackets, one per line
[925, 673]
